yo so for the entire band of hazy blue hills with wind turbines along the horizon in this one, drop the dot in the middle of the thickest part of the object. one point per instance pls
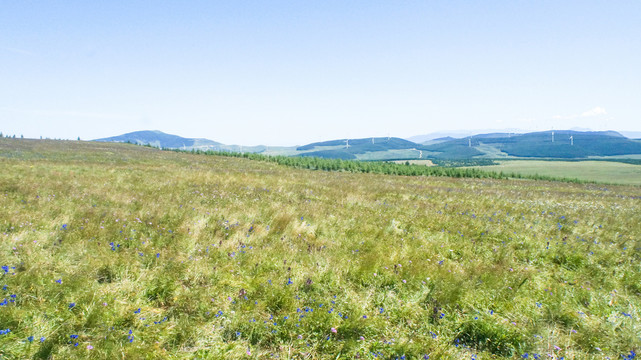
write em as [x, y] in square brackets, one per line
[561, 144]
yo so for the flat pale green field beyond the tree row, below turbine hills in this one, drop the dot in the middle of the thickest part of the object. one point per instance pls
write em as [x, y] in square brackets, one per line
[602, 171]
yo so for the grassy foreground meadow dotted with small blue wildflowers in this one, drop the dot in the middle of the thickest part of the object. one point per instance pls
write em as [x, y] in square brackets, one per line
[119, 251]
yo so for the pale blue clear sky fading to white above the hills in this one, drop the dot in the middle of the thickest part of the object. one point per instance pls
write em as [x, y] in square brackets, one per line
[294, 72]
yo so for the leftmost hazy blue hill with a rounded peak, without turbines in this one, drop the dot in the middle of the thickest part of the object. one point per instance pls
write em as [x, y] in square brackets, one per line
[160, 139]
